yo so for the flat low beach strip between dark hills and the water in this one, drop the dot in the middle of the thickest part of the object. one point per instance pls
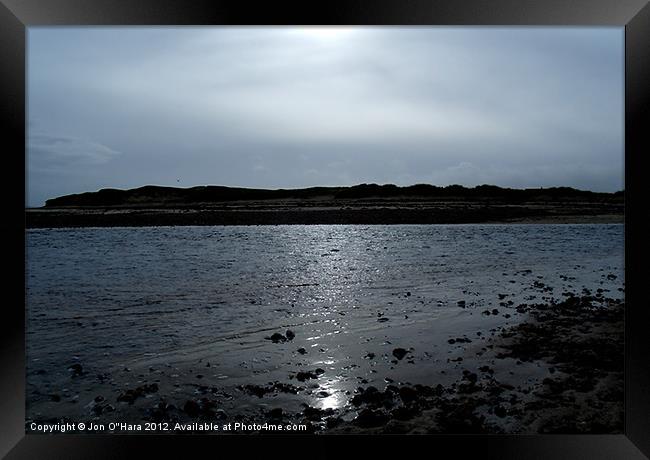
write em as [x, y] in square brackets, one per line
[444, 213]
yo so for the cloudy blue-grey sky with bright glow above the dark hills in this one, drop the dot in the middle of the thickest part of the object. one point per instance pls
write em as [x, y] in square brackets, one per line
[292, 107]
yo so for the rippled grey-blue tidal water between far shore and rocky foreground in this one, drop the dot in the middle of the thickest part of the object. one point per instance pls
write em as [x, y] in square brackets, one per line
[190, 307]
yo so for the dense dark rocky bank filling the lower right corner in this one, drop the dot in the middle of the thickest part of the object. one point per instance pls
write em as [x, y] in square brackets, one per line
[579, 340]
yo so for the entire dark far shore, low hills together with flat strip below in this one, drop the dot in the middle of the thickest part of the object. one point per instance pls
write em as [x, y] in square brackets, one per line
[364, 204]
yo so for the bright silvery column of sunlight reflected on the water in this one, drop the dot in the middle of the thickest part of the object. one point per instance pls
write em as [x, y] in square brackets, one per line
[331, 274]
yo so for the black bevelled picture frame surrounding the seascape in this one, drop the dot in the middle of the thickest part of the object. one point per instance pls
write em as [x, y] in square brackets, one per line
[17, 15]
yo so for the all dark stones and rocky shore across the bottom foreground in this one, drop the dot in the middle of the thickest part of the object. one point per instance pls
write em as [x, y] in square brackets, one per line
[574, 348]
